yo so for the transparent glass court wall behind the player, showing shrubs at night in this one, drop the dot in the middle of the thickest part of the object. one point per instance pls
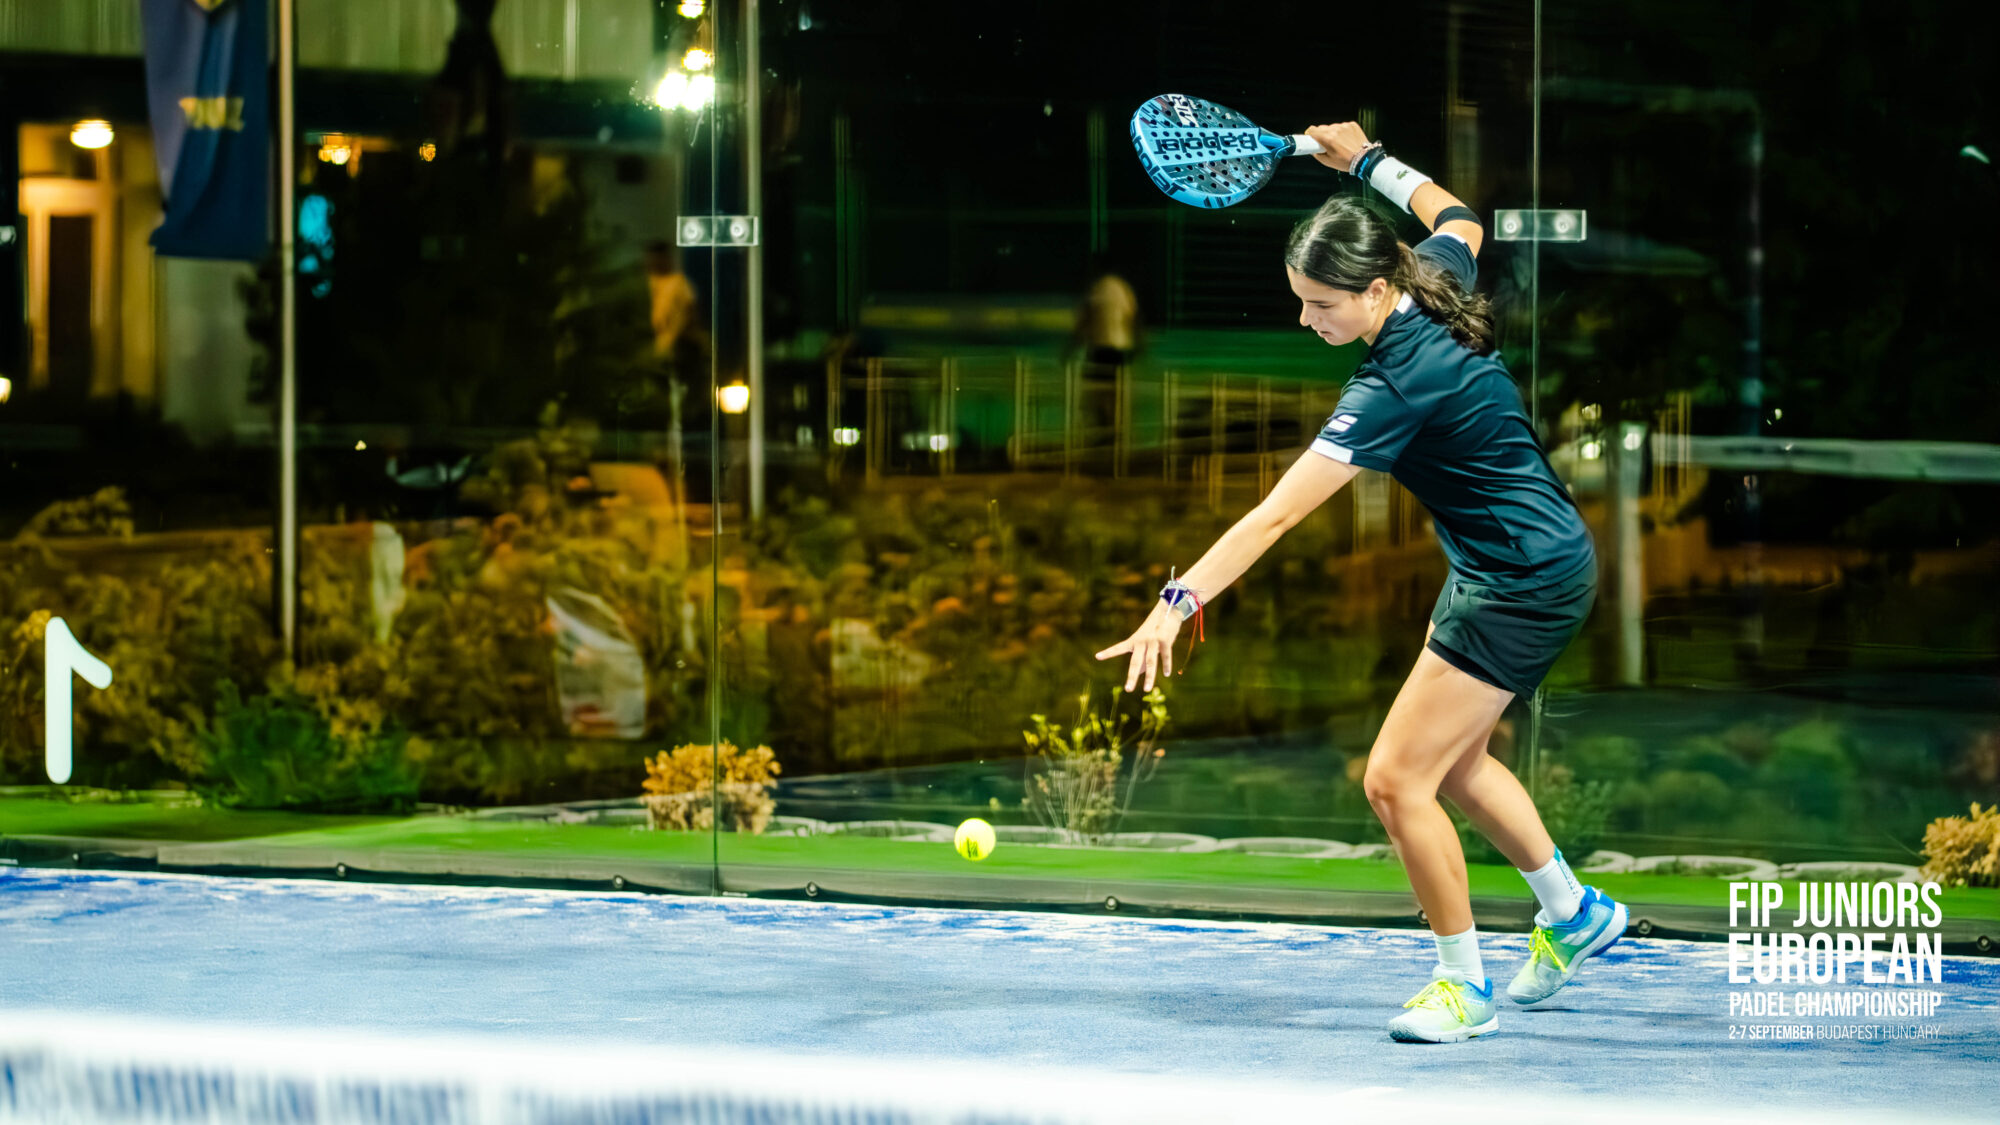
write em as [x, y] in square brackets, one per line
[729, 431]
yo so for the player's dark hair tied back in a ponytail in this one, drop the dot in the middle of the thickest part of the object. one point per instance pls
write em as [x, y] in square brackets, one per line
[1347, 245]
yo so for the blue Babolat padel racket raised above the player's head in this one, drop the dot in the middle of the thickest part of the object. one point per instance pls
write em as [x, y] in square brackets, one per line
[1207, 155]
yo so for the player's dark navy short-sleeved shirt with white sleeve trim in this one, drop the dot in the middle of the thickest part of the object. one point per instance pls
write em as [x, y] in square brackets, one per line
[1449, 427]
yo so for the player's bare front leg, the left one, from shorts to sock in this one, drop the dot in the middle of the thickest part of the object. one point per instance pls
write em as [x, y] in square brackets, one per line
[1439, 718]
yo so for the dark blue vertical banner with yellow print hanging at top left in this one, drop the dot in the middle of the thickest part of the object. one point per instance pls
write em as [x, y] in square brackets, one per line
[209, 93]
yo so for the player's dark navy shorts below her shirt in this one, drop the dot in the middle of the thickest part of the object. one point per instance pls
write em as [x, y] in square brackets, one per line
[1511, 636]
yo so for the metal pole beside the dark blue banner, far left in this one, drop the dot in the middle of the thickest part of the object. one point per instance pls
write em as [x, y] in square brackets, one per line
[289, 339]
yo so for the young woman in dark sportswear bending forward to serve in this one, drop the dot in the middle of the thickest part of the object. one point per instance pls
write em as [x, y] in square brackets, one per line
[1433, 407]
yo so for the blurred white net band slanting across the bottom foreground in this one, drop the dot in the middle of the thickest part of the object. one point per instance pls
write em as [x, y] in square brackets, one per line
[89, 1070]
